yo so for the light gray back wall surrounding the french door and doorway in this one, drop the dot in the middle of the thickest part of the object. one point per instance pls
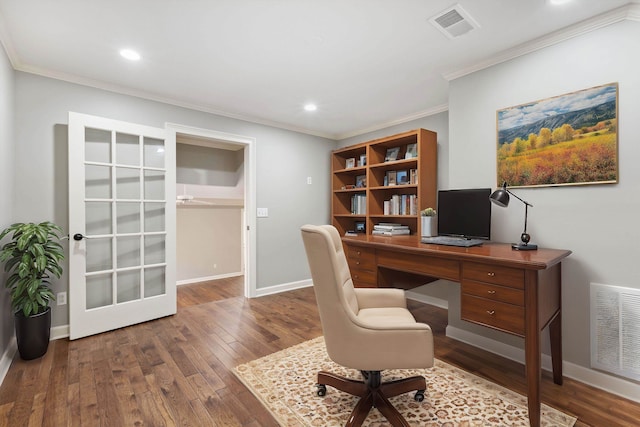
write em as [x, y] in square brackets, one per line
[284, 161]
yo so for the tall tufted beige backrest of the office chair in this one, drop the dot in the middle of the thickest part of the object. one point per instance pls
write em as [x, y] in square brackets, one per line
[335, 295]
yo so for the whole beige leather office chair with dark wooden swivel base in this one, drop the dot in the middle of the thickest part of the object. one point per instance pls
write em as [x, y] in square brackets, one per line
[365, 329]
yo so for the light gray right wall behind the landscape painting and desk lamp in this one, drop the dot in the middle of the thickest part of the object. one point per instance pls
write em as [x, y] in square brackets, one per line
[599, 223]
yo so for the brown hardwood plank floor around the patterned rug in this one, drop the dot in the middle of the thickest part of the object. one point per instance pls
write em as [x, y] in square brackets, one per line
[177, 370]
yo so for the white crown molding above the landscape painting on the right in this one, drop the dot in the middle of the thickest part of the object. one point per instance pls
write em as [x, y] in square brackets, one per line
[628, 12]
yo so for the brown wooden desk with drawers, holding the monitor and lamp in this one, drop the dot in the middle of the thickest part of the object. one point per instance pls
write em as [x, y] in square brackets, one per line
[518, 292]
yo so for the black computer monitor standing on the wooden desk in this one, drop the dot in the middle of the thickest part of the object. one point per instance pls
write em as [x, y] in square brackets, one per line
[465, 213]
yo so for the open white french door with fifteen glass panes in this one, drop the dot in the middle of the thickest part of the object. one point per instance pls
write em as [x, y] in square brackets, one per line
[121, 225]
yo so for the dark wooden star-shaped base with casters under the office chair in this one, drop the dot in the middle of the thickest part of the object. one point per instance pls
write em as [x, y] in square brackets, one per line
[373, 394]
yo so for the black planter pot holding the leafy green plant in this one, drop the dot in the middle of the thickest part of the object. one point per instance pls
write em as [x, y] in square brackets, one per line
[32, 334]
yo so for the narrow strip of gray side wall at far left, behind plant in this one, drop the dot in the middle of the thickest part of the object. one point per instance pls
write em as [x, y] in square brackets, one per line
[6, 184]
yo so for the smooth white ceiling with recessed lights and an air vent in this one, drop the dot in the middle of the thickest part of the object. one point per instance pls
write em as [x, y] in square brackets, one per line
[366, 64]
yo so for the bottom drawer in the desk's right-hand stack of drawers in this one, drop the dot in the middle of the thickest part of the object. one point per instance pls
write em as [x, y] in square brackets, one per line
[498, 315]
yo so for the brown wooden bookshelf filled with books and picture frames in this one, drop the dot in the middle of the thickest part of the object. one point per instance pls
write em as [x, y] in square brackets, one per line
[347, 170]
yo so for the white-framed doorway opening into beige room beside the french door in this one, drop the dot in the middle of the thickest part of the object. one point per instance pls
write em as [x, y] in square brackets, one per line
[215, 206]
